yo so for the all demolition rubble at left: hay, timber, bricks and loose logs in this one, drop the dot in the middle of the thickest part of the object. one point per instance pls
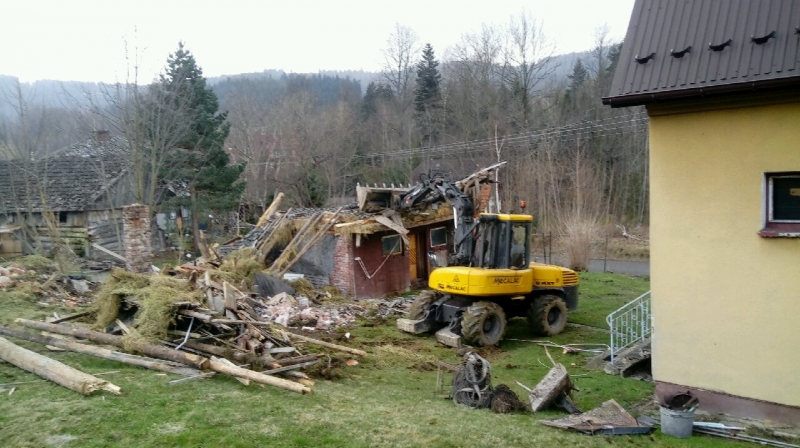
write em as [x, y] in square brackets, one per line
[197, 320]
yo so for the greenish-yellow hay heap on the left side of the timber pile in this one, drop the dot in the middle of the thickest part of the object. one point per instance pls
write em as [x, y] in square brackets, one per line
[153, 297]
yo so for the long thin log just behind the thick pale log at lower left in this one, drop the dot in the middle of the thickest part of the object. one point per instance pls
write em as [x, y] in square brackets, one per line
[140, 361]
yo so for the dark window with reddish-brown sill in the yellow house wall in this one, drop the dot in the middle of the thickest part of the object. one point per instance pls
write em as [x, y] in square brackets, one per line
[782, 205]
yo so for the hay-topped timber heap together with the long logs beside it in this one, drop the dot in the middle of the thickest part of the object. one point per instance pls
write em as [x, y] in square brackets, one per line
[190, 322]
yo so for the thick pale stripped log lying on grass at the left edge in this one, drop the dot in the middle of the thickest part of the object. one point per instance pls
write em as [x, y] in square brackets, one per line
[53, 370]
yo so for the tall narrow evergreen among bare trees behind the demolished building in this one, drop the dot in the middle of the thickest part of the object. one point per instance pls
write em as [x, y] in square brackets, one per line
[427, 95]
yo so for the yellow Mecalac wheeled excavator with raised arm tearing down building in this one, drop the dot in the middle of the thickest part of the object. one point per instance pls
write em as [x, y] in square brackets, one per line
[488, 279]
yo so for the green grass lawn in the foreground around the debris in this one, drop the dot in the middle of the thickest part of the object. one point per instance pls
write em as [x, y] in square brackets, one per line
[388, 399]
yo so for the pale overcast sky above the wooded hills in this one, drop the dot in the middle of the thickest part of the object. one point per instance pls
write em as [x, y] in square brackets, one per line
[84, 40]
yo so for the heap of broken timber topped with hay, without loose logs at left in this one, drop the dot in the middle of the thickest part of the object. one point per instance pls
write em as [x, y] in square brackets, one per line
[205, 315]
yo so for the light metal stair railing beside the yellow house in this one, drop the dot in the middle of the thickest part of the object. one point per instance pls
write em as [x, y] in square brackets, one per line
[629, 324]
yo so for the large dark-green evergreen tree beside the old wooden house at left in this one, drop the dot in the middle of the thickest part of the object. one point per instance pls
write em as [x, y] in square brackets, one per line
[199, 160]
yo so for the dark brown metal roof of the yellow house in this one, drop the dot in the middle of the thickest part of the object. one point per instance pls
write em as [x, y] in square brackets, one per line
[688, 48]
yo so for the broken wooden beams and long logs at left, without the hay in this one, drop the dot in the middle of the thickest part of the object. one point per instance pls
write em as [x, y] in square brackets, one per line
[226, 334]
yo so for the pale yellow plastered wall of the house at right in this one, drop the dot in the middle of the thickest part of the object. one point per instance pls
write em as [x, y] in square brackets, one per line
[726, 302]
